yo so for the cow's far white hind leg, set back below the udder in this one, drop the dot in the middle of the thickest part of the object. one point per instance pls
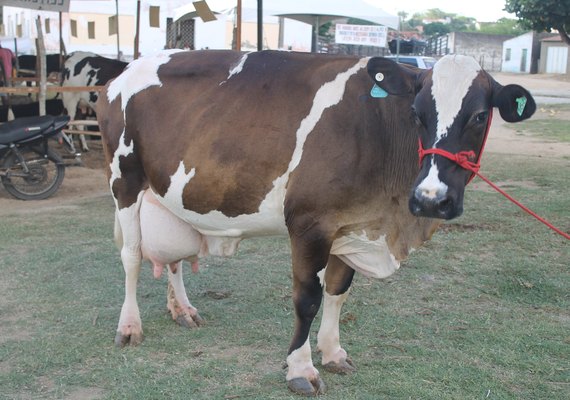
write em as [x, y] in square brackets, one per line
[177, 301]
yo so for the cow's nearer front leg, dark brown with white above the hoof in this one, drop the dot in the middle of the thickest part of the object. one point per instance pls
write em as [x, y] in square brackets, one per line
[309, 256]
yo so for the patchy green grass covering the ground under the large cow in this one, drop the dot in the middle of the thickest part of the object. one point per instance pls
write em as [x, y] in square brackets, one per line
[479, 312]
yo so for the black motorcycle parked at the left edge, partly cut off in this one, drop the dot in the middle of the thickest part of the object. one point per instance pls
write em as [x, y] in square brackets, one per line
[29, 168]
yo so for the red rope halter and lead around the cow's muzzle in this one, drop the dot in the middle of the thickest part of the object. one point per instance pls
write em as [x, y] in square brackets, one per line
[463, 159]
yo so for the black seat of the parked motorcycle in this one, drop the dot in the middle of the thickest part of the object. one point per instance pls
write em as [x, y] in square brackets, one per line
[28, 127]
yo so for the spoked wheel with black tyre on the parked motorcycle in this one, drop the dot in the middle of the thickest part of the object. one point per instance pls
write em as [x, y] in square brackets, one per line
[43, 180]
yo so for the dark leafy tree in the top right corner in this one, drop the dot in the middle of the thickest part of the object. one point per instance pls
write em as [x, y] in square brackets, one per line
[543, 15]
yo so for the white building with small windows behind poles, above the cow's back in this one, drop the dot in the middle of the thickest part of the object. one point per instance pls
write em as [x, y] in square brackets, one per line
[86, 27]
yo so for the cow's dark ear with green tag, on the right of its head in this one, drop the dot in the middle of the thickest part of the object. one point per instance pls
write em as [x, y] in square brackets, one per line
[514, 102]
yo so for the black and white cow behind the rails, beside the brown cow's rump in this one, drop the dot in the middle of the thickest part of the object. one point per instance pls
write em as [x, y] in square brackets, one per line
[87, 69]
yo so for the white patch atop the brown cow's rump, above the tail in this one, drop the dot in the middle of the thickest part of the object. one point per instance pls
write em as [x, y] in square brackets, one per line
[139, 75]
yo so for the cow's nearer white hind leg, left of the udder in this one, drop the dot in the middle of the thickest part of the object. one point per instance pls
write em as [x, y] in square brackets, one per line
[129, 330]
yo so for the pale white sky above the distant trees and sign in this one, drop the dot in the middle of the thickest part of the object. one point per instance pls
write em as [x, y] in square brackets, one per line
[482, 10]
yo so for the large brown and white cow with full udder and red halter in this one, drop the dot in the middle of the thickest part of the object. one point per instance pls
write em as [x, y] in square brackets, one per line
[321, 148]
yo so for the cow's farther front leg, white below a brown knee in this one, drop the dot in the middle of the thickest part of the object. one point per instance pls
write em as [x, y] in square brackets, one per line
[337, 280]
